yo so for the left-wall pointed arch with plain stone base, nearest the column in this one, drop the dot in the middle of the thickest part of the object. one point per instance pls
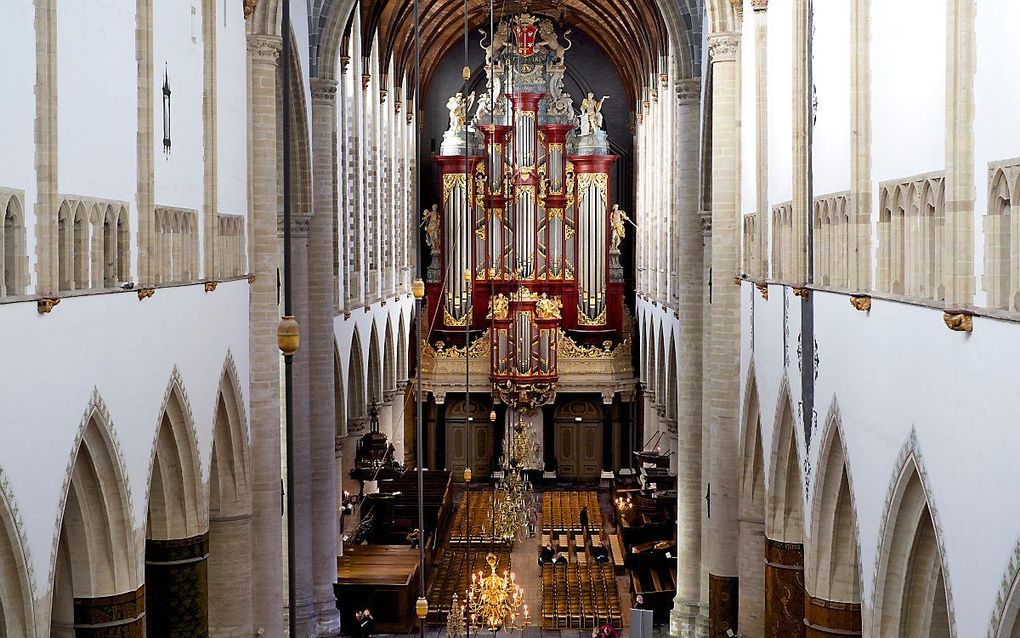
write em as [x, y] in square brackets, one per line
[230, 570]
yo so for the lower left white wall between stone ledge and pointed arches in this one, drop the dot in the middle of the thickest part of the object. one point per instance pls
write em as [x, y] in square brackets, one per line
[127, 351]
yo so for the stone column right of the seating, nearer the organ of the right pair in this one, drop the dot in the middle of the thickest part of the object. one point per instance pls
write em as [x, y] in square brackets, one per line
[686, 621]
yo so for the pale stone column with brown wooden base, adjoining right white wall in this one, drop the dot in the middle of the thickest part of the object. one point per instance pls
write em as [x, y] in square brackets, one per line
[722, 373]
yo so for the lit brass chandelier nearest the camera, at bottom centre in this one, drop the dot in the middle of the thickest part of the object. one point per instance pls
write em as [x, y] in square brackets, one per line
[496, 602]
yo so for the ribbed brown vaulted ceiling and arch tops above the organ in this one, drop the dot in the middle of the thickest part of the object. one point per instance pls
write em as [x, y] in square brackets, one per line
[635, 34]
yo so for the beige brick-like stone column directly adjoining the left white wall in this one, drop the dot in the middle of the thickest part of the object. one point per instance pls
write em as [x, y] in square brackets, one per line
[268, 551]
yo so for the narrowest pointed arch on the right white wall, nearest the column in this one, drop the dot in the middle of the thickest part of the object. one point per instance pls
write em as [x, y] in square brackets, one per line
[751, 609]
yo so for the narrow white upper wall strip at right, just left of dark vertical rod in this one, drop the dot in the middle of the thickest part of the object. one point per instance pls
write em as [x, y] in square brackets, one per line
[781, 106]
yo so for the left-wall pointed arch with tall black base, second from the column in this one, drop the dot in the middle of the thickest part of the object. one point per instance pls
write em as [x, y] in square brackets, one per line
[177, 546]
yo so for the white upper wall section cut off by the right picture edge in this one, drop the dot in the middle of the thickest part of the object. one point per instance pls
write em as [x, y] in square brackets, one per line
[997, 97]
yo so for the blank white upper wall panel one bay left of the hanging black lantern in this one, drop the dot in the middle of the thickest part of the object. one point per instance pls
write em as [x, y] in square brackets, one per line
[97, 100]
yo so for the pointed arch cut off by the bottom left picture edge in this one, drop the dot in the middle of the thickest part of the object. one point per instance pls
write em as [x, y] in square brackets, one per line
[17, 615]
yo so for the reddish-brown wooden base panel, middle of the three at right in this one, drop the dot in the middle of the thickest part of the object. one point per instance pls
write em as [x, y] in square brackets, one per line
[784, 590]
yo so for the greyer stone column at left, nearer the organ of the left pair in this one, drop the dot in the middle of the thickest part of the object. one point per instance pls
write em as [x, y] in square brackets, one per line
[321, 348]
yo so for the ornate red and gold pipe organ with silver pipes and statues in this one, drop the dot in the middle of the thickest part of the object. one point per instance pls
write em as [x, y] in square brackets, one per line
[523, 240]
